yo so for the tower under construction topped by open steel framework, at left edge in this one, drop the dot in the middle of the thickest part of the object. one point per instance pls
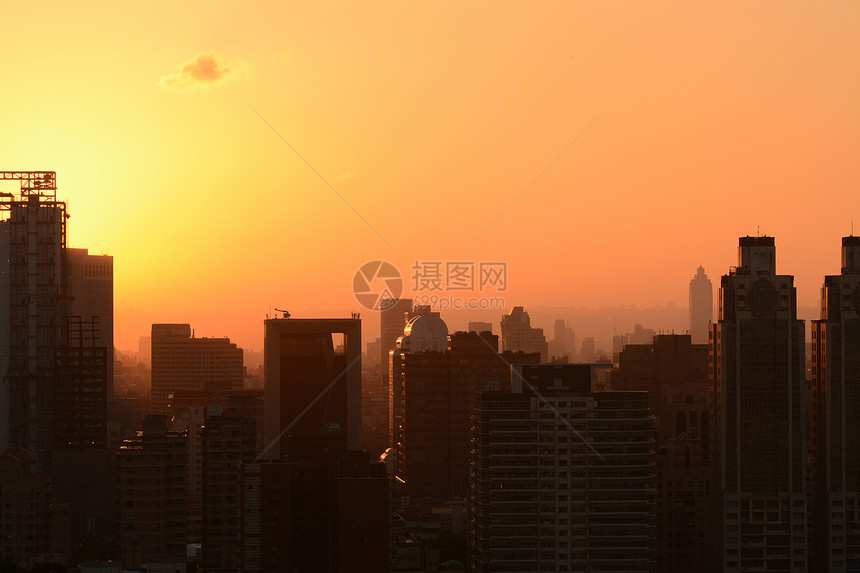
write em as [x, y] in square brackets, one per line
[34, 318]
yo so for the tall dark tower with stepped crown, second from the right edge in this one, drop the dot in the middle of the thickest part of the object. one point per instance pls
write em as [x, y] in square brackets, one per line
[759, 394]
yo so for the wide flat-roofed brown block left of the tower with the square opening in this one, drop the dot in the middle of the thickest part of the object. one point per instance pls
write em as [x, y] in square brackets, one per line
[183, 362]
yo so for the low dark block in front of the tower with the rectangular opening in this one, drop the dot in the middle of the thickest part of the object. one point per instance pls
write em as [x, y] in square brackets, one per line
[320, 509]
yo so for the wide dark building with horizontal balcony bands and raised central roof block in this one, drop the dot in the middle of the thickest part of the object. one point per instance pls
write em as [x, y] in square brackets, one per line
[562, 478]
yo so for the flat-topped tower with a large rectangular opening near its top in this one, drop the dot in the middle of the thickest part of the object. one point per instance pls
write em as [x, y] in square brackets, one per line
[310, 389]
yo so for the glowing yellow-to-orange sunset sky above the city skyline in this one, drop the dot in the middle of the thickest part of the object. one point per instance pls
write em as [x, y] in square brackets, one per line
[429, 119]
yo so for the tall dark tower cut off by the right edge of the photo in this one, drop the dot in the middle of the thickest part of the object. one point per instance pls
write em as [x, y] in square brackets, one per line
[835, 418]
